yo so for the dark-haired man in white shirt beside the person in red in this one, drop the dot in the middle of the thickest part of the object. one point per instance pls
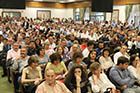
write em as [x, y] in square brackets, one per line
[86, 51]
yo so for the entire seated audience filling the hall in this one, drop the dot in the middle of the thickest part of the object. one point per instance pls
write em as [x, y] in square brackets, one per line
[67, 56]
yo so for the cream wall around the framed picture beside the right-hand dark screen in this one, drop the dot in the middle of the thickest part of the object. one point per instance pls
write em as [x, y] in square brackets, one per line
[121, 9]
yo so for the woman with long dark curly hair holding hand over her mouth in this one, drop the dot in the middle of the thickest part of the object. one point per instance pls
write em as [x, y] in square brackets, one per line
[77, 80]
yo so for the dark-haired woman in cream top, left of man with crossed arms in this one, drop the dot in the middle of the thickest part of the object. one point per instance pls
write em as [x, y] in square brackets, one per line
[105, 60]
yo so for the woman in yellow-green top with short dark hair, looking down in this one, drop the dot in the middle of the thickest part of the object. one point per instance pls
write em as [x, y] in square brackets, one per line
[57, 65]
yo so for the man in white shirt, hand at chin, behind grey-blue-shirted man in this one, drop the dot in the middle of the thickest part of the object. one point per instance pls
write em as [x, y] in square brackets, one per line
[122, 52]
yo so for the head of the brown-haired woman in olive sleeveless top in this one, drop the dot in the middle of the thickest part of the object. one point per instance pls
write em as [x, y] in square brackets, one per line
[33, 61]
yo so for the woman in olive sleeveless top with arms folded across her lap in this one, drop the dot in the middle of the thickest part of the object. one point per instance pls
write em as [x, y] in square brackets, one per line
[31, 75]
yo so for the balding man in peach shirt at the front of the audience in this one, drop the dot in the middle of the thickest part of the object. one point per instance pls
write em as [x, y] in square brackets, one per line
[51, 85]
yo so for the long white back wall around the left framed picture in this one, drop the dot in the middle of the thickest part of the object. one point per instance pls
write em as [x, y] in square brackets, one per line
[31, 12]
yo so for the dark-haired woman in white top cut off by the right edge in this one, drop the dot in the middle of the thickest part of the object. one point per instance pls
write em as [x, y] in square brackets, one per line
[134, 59]
